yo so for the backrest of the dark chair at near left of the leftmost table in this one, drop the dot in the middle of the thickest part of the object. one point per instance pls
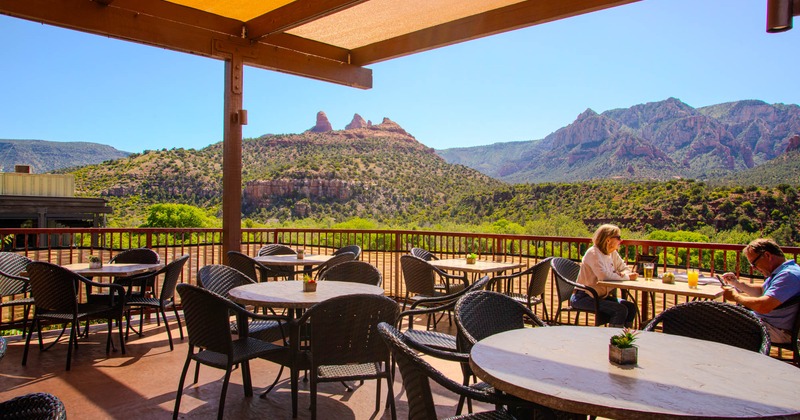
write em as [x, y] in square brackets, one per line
[54, 288]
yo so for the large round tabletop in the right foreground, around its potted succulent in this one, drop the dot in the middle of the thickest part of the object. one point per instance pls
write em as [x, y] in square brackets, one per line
[567, 368]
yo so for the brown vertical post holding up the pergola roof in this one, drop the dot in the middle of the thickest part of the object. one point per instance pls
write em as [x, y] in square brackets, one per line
[232, 158]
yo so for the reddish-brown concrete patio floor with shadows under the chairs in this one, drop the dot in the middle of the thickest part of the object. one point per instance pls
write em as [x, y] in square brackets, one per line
[144, 381]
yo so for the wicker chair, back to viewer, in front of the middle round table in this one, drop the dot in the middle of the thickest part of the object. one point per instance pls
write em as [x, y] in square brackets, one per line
[344, 344]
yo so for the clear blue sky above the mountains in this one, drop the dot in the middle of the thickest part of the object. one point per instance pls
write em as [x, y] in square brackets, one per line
[63, 85]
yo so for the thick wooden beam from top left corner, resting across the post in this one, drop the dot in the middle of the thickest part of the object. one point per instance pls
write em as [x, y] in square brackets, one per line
[115, 22]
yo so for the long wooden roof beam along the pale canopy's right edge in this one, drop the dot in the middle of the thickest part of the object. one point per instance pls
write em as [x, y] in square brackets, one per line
[515, 16]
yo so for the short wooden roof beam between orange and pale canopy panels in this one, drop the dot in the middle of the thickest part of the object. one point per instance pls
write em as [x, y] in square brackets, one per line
[294, 14]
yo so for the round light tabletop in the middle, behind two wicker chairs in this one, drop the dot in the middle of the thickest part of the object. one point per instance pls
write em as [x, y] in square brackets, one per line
[289, 294]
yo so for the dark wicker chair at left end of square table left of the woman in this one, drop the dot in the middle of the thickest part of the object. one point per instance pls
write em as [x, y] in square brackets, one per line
[419, 277]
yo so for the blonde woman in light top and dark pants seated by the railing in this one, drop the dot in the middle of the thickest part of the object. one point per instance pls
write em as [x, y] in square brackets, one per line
[603, 262]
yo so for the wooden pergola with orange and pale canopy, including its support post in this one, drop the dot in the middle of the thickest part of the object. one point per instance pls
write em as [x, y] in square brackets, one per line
[330, 40]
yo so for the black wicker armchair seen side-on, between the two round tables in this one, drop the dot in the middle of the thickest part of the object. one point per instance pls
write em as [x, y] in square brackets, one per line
[430, 307]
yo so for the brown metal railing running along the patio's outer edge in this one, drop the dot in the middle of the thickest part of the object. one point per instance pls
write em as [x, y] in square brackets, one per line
[381, 248]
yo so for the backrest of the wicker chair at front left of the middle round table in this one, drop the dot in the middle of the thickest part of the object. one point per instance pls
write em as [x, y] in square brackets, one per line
[207, 317]
